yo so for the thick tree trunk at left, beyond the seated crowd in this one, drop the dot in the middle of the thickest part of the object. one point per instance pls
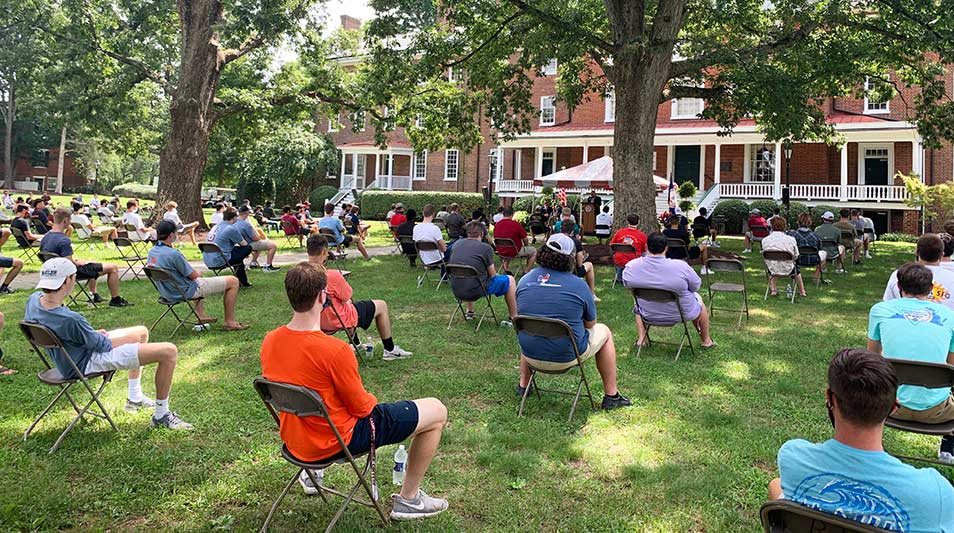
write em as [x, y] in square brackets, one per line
[185, 153]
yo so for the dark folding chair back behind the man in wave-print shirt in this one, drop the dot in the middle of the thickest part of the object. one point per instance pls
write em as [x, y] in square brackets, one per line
[786, 516]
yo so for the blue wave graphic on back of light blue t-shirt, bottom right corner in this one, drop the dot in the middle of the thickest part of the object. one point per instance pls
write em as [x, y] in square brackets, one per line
[861, 501]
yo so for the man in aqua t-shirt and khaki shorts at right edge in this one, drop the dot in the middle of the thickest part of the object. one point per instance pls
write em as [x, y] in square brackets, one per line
[913, 327]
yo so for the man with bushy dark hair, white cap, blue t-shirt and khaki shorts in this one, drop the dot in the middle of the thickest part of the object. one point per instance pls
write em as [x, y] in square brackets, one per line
[553, 291]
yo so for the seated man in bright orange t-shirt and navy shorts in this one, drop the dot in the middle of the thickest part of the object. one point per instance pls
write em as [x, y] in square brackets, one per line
[300, 354]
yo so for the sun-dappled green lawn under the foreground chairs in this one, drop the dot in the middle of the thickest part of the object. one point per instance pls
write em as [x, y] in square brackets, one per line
[694, 453]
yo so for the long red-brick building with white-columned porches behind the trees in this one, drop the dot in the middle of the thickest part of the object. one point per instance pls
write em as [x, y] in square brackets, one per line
[880, 141]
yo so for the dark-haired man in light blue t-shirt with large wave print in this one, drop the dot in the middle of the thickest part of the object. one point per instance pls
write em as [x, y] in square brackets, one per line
[851, 475]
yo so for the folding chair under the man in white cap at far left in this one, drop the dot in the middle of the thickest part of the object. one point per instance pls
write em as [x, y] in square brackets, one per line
[39, 336]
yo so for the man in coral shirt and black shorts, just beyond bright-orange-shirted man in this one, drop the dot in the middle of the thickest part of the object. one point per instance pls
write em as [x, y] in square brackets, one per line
[353, 314]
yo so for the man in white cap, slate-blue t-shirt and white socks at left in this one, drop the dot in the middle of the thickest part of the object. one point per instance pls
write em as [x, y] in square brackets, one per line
[94, 351]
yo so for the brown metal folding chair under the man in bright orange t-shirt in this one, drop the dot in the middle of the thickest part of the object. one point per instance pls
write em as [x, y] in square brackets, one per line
[303, 402]
